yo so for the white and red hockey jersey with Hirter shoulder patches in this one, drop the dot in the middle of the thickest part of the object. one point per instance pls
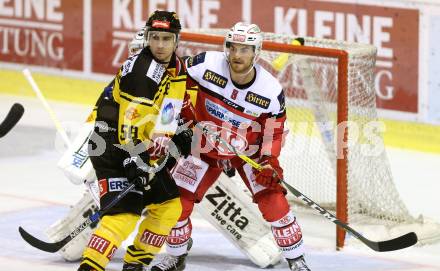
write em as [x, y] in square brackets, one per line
[251, 117]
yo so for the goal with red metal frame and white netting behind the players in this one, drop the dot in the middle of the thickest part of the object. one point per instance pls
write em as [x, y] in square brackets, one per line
[334, 151]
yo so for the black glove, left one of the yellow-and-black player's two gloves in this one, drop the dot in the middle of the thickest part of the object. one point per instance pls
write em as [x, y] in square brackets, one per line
[136, 174]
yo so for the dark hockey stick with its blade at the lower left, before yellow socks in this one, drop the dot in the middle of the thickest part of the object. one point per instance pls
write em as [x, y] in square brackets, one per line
[54, 247]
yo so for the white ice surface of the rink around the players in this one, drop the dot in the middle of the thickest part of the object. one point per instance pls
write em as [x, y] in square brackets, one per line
[34, 194]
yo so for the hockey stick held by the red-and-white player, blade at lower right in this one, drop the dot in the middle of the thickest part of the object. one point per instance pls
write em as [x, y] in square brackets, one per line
[397, 243]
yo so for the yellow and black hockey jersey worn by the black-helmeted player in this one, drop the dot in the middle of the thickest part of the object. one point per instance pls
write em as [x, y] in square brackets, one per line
[146, 97]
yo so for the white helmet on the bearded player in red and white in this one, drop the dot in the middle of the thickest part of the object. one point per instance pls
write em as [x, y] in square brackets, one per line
[247, 34]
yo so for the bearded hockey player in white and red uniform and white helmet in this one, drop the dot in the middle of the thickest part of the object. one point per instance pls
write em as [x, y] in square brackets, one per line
[244, 104]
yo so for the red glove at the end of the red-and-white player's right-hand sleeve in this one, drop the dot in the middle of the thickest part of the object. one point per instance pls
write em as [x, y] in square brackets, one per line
[271, 174]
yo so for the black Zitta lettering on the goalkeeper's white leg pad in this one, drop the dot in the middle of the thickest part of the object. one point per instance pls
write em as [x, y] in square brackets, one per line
[226, 211]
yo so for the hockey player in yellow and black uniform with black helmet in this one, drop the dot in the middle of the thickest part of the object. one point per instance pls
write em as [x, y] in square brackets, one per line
[139, 113]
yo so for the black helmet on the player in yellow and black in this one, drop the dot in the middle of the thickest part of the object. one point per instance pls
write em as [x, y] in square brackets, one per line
[166, 21]
